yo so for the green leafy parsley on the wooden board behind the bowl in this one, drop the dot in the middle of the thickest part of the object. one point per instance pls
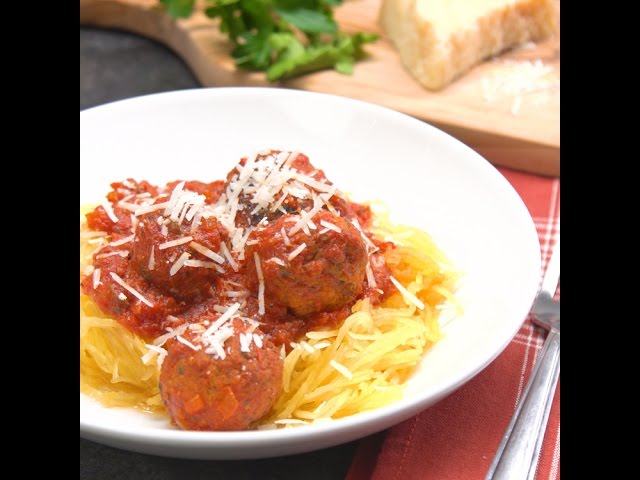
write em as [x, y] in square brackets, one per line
[285, 38]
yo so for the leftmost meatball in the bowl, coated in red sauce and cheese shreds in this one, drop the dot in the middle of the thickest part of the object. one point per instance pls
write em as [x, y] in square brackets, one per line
[188, 284]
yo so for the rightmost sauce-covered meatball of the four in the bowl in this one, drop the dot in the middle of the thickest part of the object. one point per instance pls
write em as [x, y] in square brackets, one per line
[327, 274]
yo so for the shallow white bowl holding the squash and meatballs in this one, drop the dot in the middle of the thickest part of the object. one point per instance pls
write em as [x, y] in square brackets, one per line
[426, 177]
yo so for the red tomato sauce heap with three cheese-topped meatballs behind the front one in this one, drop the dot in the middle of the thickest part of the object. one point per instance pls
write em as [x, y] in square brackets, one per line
[185, 271]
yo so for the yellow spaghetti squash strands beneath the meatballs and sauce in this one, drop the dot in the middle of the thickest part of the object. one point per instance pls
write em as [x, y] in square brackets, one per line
[360, 366]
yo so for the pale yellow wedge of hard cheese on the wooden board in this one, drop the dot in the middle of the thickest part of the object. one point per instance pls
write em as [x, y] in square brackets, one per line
[439, 40]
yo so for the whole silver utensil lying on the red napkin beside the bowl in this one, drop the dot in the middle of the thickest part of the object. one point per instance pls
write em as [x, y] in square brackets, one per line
[517, 455]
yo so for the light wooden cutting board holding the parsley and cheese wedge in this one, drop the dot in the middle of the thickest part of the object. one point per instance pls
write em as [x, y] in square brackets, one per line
[507, 109]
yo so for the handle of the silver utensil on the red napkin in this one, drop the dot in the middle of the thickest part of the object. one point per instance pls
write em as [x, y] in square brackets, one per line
[515, 454]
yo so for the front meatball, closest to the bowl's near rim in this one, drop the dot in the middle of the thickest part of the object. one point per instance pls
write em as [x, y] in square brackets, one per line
[206, 392]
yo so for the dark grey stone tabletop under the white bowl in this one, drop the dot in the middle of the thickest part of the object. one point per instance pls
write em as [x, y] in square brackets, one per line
[115, 66]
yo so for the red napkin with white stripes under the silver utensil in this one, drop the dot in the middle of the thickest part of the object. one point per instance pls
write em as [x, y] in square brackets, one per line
[457, 438]
